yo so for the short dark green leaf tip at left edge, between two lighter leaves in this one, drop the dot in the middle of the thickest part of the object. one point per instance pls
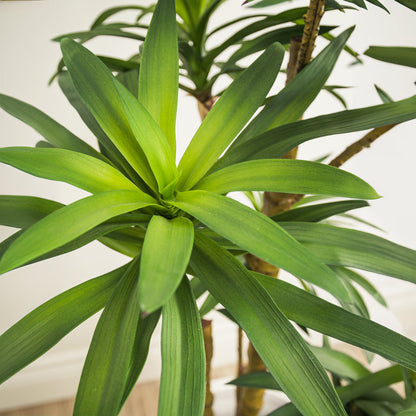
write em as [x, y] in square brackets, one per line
[22, 211]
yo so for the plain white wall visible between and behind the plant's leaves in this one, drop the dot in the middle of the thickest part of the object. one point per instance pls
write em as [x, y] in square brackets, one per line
[28, 58]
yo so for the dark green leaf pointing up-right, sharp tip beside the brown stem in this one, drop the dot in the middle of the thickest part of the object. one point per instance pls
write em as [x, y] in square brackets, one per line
[295, 98]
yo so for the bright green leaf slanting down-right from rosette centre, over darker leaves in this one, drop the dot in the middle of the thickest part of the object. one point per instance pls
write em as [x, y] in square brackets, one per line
[259, 235]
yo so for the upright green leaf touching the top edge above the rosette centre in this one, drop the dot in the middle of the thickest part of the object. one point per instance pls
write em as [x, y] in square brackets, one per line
[159, 74]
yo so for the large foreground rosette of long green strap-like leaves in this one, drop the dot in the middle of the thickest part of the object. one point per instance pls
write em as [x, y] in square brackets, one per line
[176, 222]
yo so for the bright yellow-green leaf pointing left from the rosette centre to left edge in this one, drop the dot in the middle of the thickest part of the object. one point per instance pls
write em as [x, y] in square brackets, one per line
[83, 171]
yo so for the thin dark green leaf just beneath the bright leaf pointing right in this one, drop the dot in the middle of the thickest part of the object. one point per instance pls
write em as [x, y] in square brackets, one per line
[319, 212]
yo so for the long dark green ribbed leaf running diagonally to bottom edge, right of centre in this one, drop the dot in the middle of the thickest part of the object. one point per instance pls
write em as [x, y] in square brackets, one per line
[280, 346]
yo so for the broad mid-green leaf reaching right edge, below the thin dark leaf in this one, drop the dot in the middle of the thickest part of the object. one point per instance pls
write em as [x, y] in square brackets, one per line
[344, 247]
